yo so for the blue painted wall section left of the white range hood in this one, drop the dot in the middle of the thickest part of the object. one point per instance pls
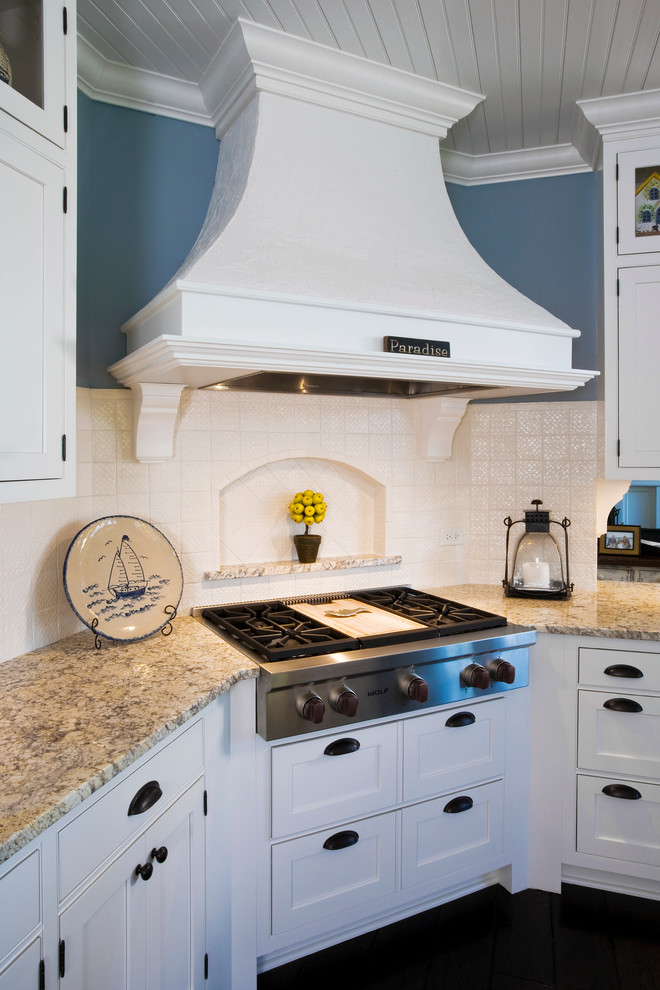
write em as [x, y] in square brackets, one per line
[144, 183]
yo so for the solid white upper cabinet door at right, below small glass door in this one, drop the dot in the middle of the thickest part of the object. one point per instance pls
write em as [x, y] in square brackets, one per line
[639, 359]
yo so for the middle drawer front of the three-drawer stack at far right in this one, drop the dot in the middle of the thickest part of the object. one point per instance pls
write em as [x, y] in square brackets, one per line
[619, 741]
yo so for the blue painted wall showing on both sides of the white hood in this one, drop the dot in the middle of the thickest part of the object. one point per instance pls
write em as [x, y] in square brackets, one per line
[144, 183]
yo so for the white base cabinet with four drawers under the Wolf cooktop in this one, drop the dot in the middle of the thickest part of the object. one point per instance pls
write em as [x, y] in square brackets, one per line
[363, 826]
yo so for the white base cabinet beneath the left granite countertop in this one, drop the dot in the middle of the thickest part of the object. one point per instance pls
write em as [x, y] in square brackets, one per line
[76, 911]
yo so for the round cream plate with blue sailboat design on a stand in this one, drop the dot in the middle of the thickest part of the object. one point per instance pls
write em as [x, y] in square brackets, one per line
[122, 578]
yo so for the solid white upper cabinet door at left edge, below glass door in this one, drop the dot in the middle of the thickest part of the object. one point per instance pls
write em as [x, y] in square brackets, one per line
[33, 320]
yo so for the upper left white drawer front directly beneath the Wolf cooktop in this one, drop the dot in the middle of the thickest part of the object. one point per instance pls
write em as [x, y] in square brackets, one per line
[326, 779]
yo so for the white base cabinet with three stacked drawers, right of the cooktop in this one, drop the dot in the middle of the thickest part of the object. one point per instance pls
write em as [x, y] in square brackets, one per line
[596, 764]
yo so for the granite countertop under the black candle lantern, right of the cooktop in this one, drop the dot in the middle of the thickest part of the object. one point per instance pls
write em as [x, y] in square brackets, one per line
[616, 610]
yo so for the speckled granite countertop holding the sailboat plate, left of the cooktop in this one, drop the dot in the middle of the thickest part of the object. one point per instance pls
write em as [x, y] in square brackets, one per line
[75, 717]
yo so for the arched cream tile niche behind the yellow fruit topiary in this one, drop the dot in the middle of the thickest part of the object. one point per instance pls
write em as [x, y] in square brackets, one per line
[253, 520]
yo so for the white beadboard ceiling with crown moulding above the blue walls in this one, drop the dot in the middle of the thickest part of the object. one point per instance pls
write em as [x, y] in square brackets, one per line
[532, 59]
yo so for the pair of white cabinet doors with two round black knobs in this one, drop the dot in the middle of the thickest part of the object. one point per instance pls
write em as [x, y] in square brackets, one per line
[128, 933]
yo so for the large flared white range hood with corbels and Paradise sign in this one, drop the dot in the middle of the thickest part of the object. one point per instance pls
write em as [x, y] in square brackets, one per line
[330, 230]
